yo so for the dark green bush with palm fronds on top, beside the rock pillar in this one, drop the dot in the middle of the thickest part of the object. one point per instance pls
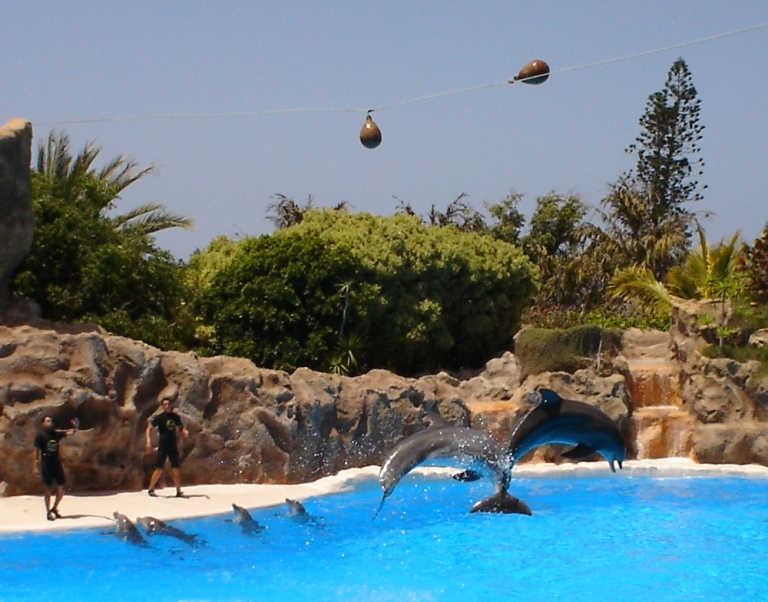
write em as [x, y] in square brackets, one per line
[88, 265]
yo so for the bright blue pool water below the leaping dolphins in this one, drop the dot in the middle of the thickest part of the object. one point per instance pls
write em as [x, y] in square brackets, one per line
[593, 538]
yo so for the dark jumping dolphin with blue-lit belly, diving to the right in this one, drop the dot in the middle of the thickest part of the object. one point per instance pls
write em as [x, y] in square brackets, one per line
[558, 420]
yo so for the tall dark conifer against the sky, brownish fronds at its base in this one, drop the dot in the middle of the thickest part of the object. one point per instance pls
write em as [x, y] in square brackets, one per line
[645, 215]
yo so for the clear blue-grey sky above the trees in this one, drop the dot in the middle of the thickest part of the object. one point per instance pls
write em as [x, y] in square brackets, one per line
[69, 63]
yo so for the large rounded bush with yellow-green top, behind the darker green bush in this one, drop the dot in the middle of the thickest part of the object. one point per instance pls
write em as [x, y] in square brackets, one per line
[445, 298]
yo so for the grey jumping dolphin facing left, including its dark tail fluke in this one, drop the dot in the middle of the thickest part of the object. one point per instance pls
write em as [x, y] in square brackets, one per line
[463, 446]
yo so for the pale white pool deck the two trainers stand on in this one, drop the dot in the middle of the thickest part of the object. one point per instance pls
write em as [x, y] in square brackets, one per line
[27, 513]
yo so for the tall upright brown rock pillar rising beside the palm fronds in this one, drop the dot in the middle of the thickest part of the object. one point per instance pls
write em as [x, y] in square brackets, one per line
[16, 217]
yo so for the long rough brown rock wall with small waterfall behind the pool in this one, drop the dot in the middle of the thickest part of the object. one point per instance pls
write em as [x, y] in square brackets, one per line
[249, 424]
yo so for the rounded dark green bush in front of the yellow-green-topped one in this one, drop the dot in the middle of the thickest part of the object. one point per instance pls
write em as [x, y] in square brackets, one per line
[276, 301]
